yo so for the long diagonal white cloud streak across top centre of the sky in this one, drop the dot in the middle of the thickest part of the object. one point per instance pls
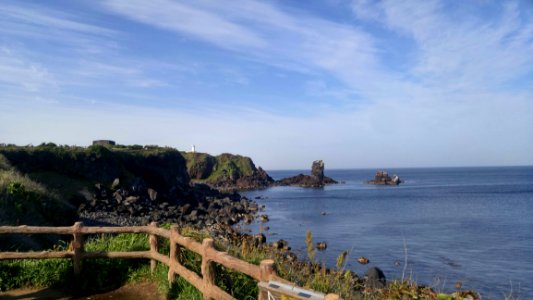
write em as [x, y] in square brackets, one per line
[266, 34]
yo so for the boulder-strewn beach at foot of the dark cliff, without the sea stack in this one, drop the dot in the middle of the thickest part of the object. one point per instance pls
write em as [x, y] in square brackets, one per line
[206, 207]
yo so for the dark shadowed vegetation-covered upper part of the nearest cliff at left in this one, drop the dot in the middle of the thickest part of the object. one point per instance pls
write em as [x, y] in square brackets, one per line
[158, 167]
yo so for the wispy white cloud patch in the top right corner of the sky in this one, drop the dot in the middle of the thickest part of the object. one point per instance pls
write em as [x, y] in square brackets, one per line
[461, 52]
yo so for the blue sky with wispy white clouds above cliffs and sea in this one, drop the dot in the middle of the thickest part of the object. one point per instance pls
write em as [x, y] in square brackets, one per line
[358, 84]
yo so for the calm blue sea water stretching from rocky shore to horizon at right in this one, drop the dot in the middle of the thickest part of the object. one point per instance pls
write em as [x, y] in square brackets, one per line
[473, 225]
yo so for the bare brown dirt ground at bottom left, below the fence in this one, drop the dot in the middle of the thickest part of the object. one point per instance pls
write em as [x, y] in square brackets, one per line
[143, 290]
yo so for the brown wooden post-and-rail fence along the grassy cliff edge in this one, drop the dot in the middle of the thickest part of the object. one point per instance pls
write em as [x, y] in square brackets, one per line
[205, 284]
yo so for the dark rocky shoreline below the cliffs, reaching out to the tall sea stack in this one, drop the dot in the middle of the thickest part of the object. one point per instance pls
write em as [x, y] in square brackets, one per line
[201, 206]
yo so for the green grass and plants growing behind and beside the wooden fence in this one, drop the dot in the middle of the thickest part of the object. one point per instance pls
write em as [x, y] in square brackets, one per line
[104, 274]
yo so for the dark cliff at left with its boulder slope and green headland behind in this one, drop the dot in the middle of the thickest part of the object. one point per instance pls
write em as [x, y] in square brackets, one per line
[122, 185]
